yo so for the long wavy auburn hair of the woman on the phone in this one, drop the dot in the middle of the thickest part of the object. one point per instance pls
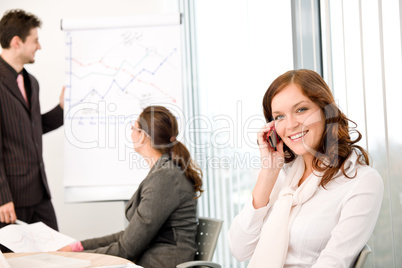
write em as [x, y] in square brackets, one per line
[336, 144]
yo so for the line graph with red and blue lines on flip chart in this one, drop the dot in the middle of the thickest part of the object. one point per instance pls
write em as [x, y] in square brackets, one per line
[129, 69]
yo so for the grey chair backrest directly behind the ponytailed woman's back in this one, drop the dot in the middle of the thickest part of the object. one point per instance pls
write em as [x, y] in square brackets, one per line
[207, 236]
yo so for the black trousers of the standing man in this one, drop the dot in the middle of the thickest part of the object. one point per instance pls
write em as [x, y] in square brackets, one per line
[43, 212]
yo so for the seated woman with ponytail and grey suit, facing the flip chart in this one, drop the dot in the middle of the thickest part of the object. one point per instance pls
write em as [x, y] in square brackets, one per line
[162, 212]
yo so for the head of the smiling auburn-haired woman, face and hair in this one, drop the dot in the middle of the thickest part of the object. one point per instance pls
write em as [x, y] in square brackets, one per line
[299, 102]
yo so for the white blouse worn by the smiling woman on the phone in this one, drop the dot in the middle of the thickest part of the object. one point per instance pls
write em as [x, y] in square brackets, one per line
[330, 229]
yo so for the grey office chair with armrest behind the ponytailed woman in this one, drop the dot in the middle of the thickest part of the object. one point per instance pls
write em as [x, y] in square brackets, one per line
[207, 236]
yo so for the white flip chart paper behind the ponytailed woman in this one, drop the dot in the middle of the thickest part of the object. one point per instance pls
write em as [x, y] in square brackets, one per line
[111, 75]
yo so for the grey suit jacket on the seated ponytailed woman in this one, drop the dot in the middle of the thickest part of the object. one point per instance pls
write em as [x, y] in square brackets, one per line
[162, 221]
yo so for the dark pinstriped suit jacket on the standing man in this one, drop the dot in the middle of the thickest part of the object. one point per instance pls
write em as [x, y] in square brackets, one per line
[22, 173]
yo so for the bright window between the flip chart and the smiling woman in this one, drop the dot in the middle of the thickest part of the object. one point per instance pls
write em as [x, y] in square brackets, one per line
[241, 47]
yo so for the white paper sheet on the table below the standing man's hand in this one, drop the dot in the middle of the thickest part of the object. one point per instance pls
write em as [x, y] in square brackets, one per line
[35, 237]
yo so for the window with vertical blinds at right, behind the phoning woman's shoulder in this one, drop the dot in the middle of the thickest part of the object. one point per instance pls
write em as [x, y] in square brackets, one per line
[363, 55]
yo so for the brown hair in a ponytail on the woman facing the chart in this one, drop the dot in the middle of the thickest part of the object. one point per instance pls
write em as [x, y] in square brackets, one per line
[161, 125]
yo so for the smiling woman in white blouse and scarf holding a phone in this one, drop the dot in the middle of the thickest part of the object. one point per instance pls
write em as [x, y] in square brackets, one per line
[316, 200]
